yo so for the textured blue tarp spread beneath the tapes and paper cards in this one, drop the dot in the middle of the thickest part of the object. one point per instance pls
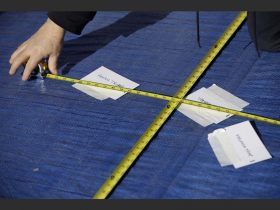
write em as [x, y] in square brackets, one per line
[57, 142]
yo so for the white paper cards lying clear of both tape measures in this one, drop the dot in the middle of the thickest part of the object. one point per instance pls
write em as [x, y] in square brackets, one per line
[238, 145]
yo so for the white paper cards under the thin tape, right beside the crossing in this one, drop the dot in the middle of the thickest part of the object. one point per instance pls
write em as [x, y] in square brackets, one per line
[213, 95]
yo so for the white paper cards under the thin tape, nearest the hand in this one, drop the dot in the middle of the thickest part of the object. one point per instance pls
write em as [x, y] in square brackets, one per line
[105, 76]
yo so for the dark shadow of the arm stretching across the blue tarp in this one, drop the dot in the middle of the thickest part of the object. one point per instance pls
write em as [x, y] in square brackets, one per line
[78, 49]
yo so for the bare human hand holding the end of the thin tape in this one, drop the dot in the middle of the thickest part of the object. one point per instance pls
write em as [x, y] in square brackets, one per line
[46, 42]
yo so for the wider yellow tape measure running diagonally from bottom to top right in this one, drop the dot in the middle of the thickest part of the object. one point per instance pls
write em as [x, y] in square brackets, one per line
[132, 155]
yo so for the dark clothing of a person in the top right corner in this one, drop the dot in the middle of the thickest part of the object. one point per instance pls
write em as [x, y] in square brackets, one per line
[264, 29]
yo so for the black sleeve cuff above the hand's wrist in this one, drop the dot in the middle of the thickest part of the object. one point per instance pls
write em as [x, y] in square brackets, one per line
[73, 22]
